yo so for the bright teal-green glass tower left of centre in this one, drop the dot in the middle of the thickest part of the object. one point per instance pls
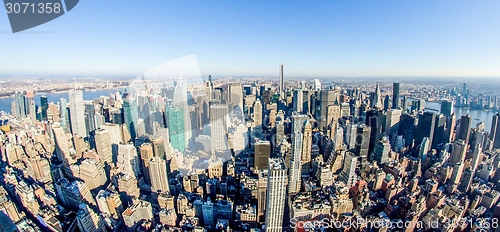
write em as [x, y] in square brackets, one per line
[176, 128]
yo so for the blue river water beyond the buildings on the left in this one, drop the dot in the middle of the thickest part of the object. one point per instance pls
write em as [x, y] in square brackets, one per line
[5, 103]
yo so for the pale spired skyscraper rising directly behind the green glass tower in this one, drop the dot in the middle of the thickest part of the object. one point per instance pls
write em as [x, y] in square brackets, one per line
[181, 101]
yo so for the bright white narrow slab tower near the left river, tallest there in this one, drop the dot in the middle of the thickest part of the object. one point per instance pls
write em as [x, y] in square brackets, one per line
[77, 115]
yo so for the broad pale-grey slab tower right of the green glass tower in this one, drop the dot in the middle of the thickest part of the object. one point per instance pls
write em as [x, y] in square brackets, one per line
[219, 122]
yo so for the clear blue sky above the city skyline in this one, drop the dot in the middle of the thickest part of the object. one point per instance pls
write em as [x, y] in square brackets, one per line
[339, 38]
